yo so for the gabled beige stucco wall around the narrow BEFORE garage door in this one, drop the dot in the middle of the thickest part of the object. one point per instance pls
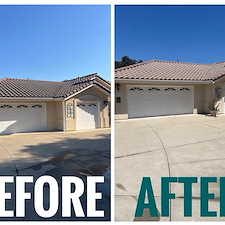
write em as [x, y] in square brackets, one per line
[91, 94]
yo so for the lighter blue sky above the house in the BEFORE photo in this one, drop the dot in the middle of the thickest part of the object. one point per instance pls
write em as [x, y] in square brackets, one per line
[54, 42]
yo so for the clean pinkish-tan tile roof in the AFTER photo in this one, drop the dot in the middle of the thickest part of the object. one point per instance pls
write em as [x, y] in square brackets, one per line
[169, 70]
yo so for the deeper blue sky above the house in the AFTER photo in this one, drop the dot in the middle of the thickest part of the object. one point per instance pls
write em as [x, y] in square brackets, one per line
[184, 33]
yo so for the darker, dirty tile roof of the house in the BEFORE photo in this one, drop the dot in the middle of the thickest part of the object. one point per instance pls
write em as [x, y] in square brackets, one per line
[10, 87]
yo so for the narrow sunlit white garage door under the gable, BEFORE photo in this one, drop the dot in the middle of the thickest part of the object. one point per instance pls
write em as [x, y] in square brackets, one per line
[87, 116]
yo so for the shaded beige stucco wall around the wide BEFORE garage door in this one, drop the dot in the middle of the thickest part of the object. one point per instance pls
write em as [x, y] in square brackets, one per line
[51, 112]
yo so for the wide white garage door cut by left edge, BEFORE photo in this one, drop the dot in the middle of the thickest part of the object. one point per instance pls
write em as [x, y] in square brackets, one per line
[15, 118]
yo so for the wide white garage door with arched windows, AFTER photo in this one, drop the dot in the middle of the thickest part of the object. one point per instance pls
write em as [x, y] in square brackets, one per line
[144, 101]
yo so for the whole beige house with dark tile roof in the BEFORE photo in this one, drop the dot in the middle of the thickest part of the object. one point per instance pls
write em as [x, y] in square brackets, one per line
[34, 105]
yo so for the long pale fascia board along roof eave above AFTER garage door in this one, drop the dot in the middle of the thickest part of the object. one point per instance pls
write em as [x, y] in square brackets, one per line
[161, 81]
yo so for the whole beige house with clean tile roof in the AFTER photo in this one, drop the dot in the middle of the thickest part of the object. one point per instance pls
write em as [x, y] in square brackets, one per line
[157, 87]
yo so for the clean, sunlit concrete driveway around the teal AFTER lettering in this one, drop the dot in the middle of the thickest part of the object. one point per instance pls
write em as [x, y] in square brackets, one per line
[178, 146]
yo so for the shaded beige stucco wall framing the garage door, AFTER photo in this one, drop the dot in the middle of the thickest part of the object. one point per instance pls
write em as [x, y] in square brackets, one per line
[121, 108]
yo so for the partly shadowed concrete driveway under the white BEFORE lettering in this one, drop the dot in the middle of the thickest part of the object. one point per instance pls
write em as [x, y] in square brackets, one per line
[82, 154]
